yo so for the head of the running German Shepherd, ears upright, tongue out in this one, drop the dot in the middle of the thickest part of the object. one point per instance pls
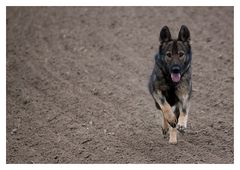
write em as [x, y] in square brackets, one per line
[175, 54]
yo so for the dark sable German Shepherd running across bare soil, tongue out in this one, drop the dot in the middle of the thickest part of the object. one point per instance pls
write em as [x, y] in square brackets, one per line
[170, 83]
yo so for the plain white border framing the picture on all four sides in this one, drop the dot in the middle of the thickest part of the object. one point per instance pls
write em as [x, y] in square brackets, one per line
[6, 3]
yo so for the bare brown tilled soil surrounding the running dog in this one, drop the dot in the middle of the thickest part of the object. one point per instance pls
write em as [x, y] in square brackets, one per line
[77, 85]
